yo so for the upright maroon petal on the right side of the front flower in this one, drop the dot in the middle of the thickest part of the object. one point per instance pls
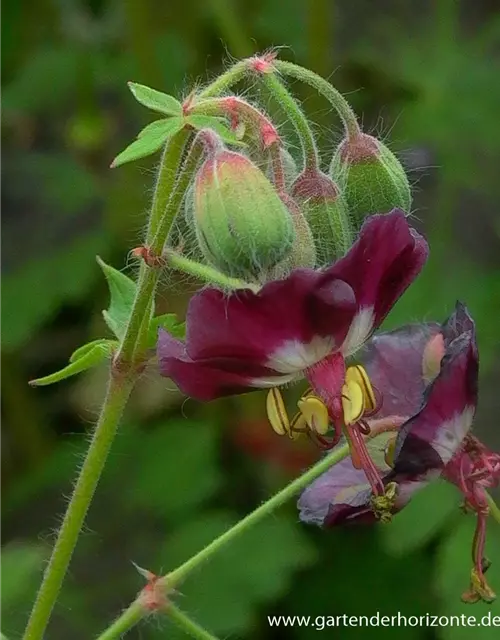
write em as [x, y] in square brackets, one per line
[384, 261]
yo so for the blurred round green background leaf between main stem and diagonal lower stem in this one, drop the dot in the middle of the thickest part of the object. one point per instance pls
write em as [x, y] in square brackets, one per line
[176, 469]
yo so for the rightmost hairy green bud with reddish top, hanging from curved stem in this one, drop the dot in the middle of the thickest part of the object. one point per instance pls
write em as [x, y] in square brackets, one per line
[370, 176]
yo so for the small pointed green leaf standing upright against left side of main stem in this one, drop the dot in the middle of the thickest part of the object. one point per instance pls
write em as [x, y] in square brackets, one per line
[122, 290]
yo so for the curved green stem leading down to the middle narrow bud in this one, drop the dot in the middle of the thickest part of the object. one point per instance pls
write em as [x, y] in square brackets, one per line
[291, 108]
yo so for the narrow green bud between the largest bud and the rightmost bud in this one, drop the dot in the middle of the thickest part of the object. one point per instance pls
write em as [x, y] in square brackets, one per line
[326, 212]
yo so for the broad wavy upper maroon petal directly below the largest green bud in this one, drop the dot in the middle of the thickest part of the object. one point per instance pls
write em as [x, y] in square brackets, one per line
[251, 326]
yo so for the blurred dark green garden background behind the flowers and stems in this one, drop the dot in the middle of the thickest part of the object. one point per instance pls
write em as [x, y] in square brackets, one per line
[424, 75]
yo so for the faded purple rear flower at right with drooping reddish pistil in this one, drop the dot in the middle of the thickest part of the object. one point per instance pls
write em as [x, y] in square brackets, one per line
[427, 377]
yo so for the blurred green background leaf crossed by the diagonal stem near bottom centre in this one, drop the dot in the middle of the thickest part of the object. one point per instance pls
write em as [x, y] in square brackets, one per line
[257, 567]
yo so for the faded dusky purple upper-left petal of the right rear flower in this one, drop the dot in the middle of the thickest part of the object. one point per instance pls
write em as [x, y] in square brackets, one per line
[393, 362]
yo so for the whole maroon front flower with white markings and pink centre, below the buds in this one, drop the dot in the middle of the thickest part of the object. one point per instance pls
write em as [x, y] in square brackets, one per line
[301, 326]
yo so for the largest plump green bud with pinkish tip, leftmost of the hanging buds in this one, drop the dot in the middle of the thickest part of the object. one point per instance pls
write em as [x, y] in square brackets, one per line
[242, 226]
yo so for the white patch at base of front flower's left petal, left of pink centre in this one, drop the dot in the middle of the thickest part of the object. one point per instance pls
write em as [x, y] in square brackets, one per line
[294, 356]
